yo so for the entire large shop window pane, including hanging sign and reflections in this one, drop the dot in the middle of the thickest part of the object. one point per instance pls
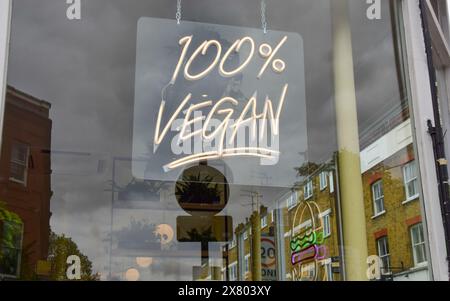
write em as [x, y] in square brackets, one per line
[141, 137]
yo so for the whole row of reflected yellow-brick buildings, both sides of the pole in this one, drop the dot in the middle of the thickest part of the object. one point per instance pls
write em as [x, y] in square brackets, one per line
[392, 208]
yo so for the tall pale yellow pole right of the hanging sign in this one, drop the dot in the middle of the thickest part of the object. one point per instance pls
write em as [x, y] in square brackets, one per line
[352, 202]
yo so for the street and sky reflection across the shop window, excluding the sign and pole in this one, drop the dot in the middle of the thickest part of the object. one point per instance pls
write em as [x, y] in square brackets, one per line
[75, 157]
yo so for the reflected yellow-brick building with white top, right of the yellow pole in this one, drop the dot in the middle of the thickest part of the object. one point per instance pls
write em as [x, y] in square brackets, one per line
[391, 199]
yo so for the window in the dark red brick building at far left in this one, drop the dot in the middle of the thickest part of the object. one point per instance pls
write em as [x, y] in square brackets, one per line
[19, 162]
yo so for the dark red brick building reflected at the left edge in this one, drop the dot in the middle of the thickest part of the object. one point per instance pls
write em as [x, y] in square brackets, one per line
[25, 170]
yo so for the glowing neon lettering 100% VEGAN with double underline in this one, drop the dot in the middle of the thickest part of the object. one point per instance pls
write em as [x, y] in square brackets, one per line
[220, 108]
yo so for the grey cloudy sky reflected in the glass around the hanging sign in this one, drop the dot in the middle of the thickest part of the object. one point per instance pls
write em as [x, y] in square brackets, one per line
[86, 69]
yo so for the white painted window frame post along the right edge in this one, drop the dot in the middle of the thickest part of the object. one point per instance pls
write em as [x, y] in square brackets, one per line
[422, 111]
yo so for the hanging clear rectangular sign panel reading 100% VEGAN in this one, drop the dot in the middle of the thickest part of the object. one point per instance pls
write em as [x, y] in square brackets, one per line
[231, 96]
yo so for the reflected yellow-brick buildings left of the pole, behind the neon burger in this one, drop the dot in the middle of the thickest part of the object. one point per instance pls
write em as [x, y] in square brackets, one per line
[316, 192]
